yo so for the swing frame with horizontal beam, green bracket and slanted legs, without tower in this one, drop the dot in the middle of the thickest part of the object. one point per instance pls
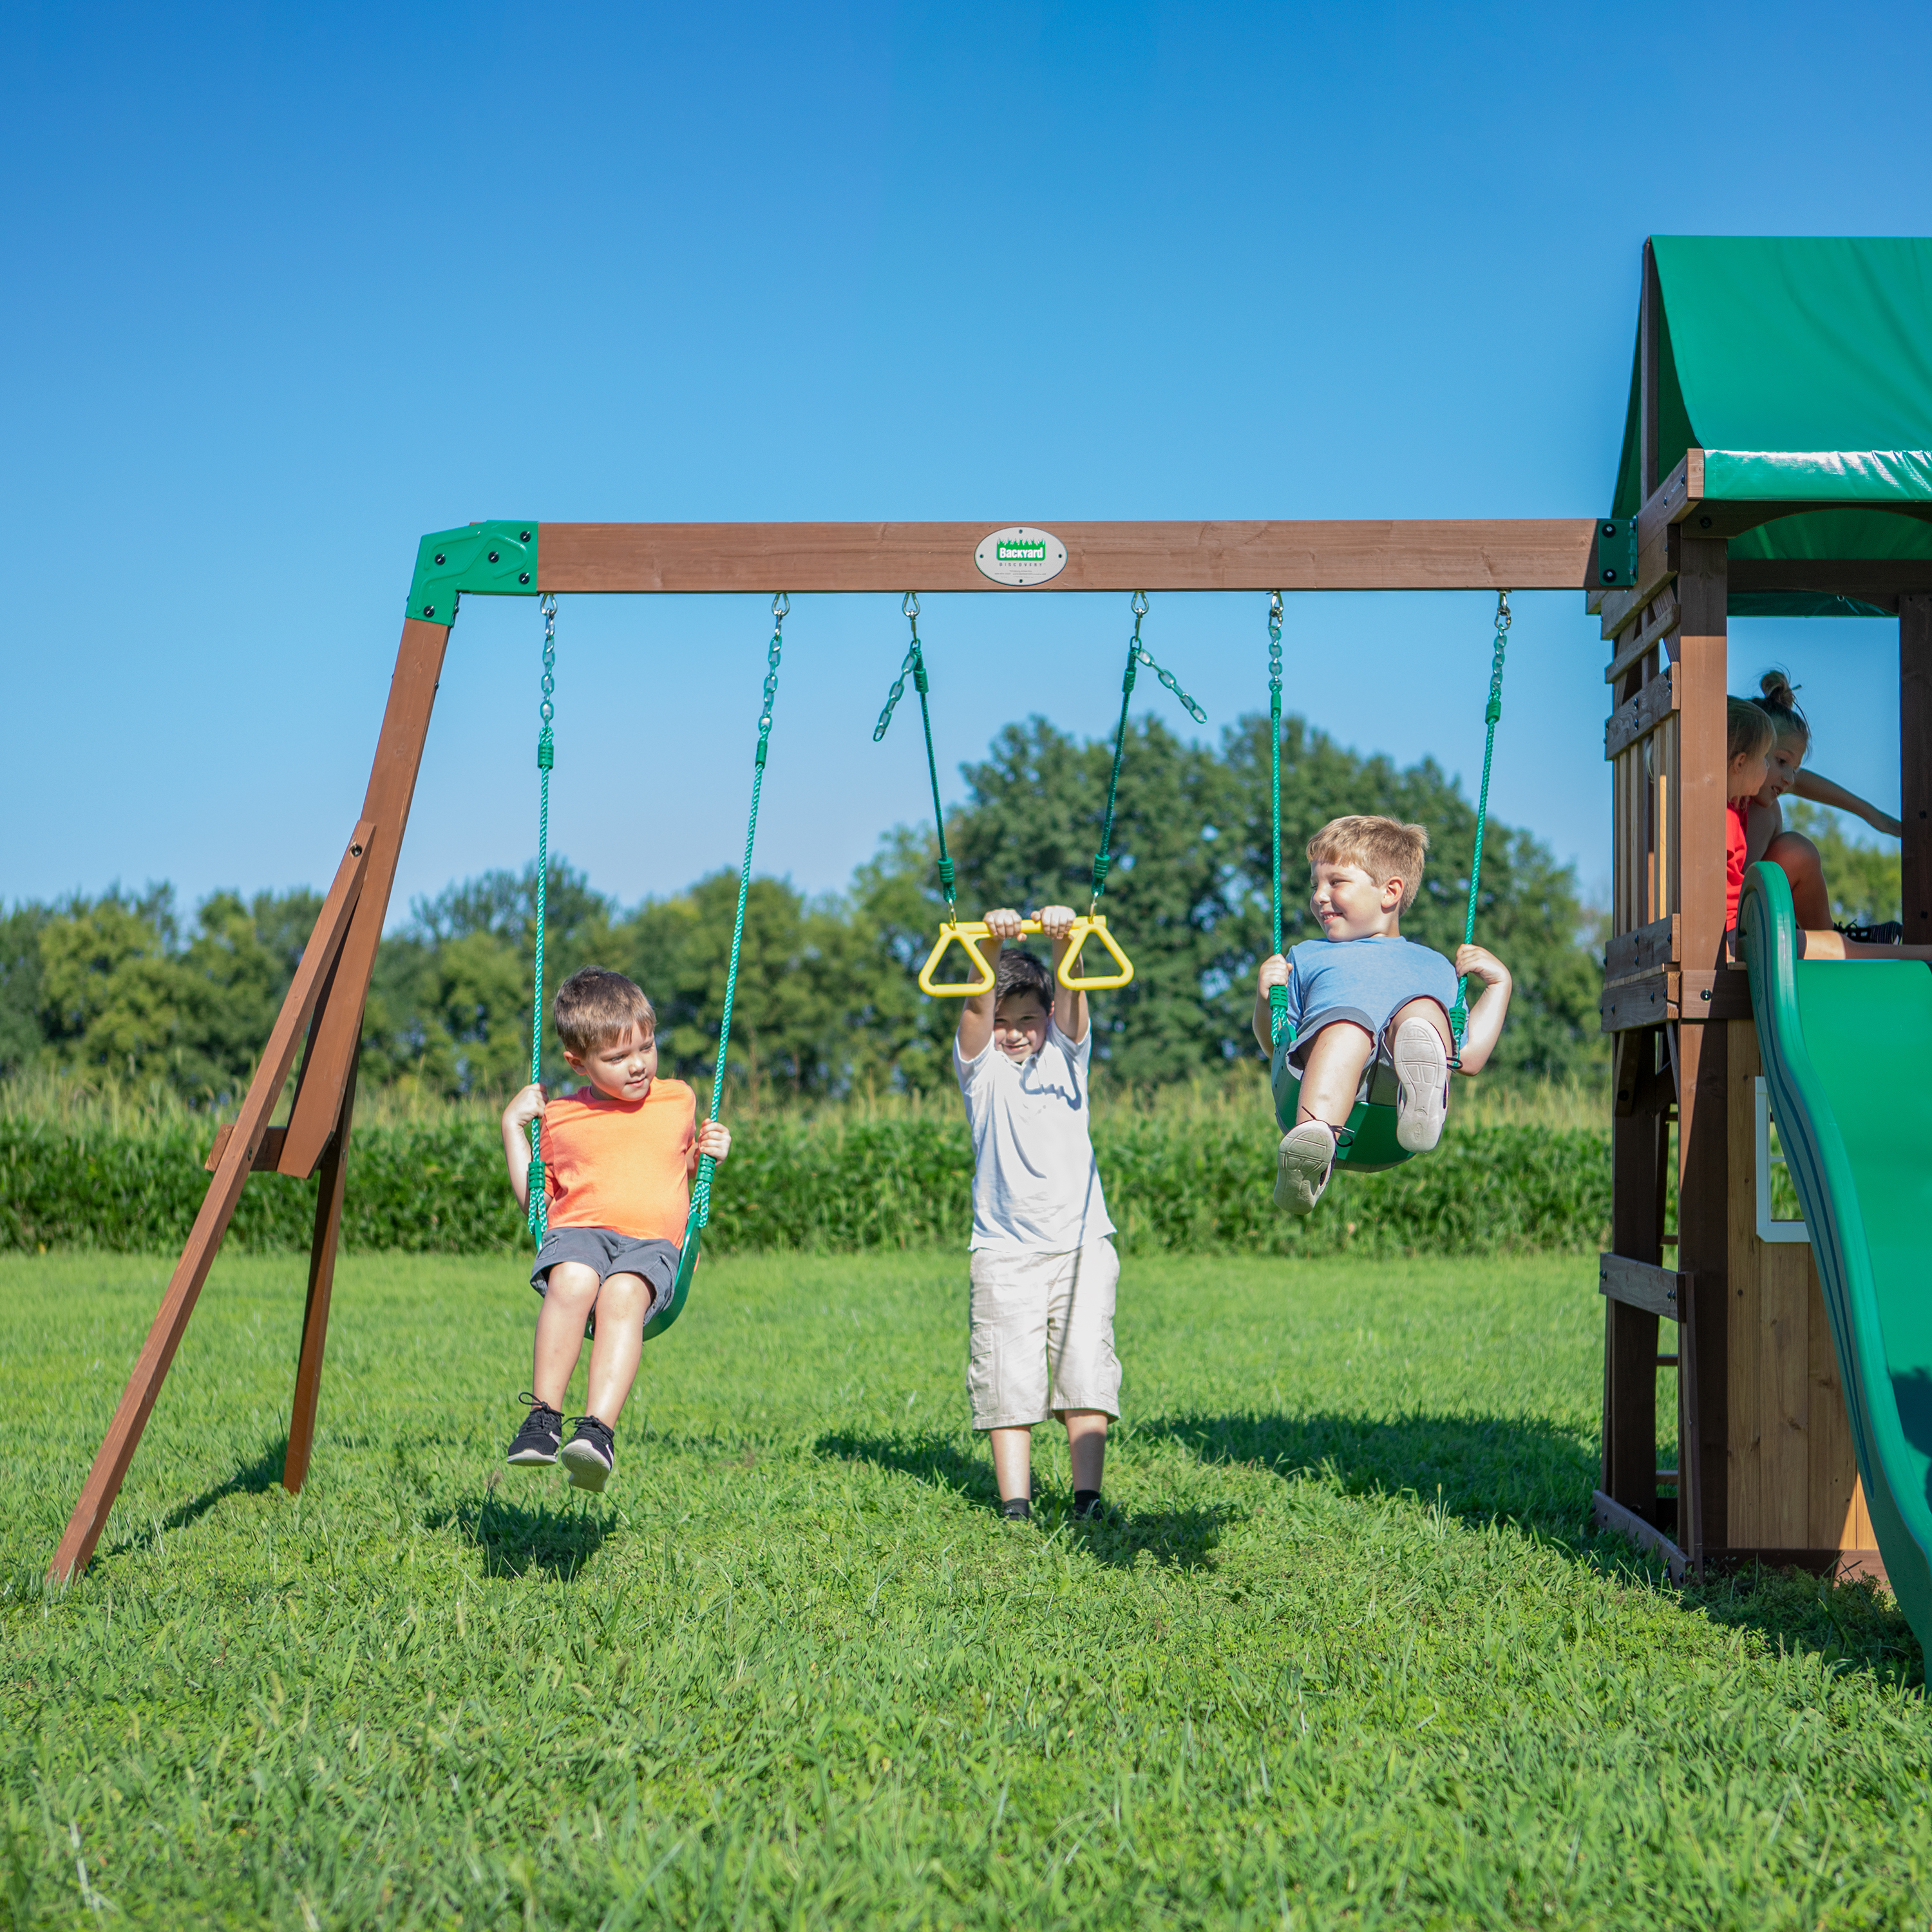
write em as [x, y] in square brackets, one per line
[324, 1011]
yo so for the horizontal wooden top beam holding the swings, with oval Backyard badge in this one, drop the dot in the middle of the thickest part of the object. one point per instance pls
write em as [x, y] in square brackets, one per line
[1523, 555]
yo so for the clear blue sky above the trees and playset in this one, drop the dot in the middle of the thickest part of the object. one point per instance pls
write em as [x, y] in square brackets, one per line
[289, 289]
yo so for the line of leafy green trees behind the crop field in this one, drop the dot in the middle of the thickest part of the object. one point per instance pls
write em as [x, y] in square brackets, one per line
[127, 988]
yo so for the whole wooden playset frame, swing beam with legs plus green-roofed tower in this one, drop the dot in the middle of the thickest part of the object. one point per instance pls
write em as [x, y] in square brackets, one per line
[1686, 548]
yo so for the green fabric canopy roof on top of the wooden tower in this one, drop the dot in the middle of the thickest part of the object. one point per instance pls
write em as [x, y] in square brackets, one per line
[1804, 370]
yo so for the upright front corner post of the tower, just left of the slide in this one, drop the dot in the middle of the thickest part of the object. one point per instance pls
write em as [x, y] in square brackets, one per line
[1703, 1166]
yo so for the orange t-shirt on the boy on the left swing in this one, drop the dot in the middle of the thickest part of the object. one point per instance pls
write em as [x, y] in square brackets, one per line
[621, 1164]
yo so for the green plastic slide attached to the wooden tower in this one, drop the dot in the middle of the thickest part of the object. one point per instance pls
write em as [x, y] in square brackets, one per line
[1848, 1058]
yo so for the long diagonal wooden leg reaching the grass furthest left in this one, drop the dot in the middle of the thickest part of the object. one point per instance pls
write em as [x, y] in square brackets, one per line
[217, 1207]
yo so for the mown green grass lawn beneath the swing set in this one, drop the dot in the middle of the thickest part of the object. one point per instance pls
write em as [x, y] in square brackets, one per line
[1346, 1657]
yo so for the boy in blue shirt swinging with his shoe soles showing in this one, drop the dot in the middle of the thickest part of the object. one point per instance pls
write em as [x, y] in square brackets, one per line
[1363, 996]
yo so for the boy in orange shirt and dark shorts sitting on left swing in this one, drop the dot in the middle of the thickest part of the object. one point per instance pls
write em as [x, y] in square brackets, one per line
[617, 1174]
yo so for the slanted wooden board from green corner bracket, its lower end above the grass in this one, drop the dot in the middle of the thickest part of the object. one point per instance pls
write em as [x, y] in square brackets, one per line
[399, 756]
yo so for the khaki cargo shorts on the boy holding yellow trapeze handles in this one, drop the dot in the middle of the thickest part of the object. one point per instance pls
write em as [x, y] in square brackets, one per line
[1042, 1336]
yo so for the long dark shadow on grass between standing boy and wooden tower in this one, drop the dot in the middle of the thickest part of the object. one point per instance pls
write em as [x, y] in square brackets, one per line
[1512, 1467]
